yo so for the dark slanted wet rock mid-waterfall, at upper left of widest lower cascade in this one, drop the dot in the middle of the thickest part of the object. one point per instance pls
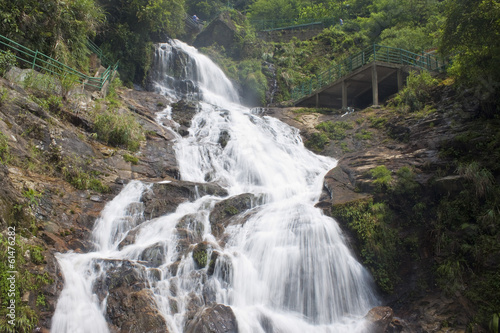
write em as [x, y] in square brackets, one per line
[224, 211]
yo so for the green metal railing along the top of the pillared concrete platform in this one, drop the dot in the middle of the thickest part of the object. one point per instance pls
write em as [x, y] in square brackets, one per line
[376, 52]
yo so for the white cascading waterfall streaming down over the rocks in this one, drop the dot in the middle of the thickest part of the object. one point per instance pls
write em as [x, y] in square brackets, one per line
[282, 266]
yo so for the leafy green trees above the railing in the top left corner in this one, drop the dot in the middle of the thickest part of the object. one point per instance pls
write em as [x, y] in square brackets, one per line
[57, 28]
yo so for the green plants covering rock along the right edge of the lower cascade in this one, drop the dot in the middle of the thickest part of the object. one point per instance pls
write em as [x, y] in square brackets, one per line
[378, 241]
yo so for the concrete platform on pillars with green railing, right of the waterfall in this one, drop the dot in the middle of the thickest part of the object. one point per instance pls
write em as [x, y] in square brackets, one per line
[363, 79]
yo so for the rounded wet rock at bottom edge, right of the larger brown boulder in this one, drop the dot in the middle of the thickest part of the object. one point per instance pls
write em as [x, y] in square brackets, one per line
[214, 319]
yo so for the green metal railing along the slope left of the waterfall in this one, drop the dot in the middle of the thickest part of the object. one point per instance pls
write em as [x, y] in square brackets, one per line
[46, 64]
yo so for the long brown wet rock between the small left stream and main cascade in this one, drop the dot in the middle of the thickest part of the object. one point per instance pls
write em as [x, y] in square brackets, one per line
[164, 198]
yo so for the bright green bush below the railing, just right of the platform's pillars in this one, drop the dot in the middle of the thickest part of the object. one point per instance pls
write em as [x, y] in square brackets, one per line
[416, 93]
